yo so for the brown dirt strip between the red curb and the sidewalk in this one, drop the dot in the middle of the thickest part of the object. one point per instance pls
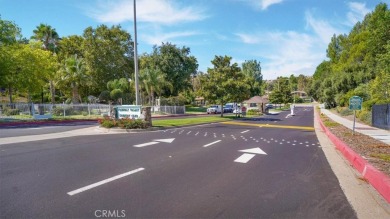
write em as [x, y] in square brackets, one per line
[374, 151]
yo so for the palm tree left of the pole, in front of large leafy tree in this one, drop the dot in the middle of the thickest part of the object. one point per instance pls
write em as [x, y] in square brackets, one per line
[74, 73]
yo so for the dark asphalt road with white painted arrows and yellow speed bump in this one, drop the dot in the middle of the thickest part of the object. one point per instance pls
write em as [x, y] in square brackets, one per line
[223, 170]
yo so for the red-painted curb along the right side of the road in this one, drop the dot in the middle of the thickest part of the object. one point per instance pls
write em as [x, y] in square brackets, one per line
[376, 178]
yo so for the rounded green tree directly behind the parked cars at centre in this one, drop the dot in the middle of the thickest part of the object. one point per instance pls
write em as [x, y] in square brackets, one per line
[225, 82]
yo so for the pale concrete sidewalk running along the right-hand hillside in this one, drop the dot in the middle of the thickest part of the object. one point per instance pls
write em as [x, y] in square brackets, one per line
[376, 133]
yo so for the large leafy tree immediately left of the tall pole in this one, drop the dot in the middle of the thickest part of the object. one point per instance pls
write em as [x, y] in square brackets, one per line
[108, 54]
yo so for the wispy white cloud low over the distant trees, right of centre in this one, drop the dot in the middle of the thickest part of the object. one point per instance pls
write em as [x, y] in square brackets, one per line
[292, 52]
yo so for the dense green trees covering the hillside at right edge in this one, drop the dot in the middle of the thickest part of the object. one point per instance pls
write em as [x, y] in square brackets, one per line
[358, 64]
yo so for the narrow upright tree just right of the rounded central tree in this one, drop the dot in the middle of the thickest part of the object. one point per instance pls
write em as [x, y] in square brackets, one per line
[254, 78]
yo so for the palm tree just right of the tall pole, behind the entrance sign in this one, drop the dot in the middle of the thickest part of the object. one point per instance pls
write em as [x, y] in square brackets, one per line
[154, 81]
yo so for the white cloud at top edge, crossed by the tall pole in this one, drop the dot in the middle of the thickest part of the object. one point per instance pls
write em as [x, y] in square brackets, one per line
[165, 12]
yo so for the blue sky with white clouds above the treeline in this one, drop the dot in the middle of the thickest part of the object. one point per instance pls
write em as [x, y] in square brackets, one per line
[286, 36]
